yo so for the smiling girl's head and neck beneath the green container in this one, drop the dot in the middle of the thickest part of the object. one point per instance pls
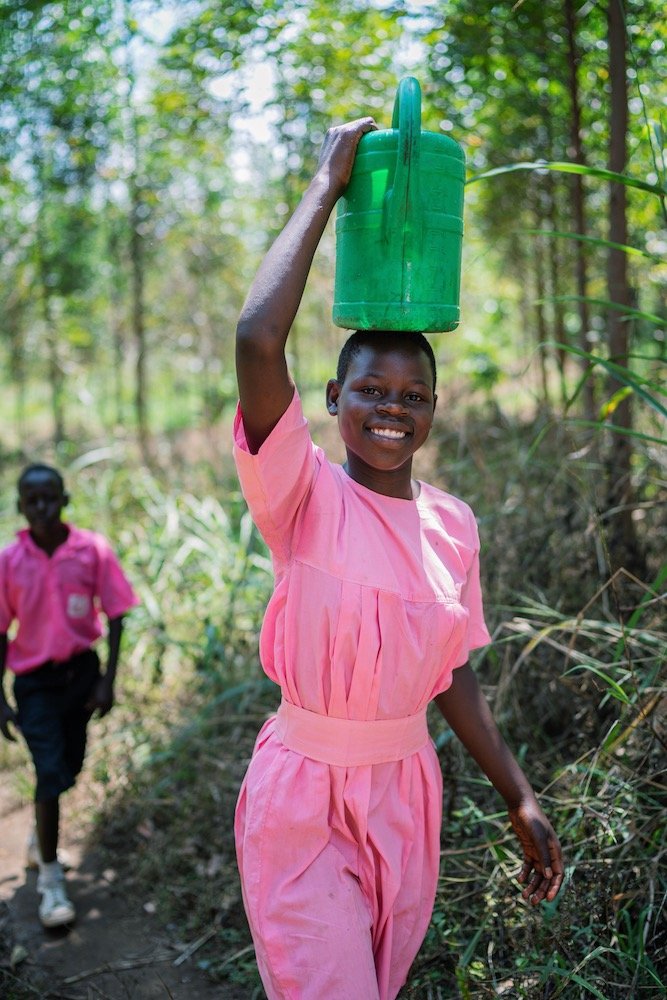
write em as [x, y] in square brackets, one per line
[385, 411]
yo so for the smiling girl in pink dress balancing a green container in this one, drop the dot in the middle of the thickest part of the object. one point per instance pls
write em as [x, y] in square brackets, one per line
[376, 607]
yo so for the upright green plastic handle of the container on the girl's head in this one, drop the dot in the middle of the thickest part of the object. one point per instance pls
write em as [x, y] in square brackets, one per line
[402, 217]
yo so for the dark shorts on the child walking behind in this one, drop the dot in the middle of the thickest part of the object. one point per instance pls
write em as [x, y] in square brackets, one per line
[53, 719]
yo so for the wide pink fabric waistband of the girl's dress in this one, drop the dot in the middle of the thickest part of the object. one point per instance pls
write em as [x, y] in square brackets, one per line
[347, 742]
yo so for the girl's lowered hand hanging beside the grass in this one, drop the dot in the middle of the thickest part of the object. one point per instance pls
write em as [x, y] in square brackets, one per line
[542, 868]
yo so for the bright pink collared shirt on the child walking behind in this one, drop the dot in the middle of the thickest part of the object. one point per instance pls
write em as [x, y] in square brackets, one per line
[56, 599]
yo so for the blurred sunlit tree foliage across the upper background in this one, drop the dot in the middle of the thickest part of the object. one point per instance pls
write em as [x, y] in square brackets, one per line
[154, 151]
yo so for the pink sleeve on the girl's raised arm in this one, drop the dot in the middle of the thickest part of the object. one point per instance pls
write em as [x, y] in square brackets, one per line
[277, 480]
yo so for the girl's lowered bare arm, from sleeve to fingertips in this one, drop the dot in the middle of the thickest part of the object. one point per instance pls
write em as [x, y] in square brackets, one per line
[466, 710]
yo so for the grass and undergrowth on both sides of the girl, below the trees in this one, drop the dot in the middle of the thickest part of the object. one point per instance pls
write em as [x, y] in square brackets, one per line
[575, 674]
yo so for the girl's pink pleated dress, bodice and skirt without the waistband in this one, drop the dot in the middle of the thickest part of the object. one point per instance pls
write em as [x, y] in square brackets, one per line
[376, 601]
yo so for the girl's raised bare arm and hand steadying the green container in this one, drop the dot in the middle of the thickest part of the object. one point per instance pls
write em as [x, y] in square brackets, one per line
[265, 386]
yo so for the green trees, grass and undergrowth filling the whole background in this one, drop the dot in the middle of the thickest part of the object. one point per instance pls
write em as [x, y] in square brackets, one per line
[119, 125]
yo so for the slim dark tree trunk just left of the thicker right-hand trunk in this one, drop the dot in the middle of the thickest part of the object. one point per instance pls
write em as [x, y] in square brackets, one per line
[579, 208]
